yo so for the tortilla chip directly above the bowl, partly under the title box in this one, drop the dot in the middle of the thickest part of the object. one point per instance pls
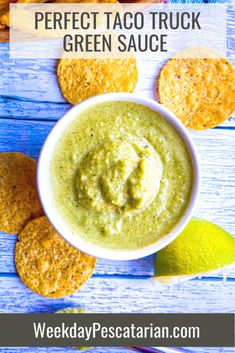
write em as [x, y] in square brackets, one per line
[80, 79]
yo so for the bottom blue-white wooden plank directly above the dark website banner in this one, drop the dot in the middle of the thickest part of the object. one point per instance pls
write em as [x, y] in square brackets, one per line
[119, 295]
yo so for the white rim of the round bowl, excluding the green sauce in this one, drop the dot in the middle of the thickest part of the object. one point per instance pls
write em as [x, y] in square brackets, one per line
[46, 196]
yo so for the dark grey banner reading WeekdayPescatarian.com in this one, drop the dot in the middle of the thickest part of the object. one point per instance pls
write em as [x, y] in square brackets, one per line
[113, 330]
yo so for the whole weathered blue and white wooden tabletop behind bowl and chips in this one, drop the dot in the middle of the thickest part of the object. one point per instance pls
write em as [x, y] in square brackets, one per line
[30, 104]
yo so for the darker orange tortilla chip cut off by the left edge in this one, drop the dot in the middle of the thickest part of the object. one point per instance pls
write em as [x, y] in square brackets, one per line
[19, 201]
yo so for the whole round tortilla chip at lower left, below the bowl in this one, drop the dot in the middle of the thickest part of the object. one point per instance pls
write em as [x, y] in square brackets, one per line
[47, 264]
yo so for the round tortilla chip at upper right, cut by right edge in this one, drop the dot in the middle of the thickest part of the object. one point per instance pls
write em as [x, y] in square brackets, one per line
[200, 91]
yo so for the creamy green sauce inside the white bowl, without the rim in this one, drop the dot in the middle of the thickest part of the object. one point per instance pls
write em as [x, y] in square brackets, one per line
[121, 176]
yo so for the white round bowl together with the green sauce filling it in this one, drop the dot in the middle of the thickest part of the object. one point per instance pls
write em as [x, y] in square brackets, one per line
[118, 176]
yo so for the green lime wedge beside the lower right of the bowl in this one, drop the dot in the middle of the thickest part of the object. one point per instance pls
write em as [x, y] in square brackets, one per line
[201, 248]
